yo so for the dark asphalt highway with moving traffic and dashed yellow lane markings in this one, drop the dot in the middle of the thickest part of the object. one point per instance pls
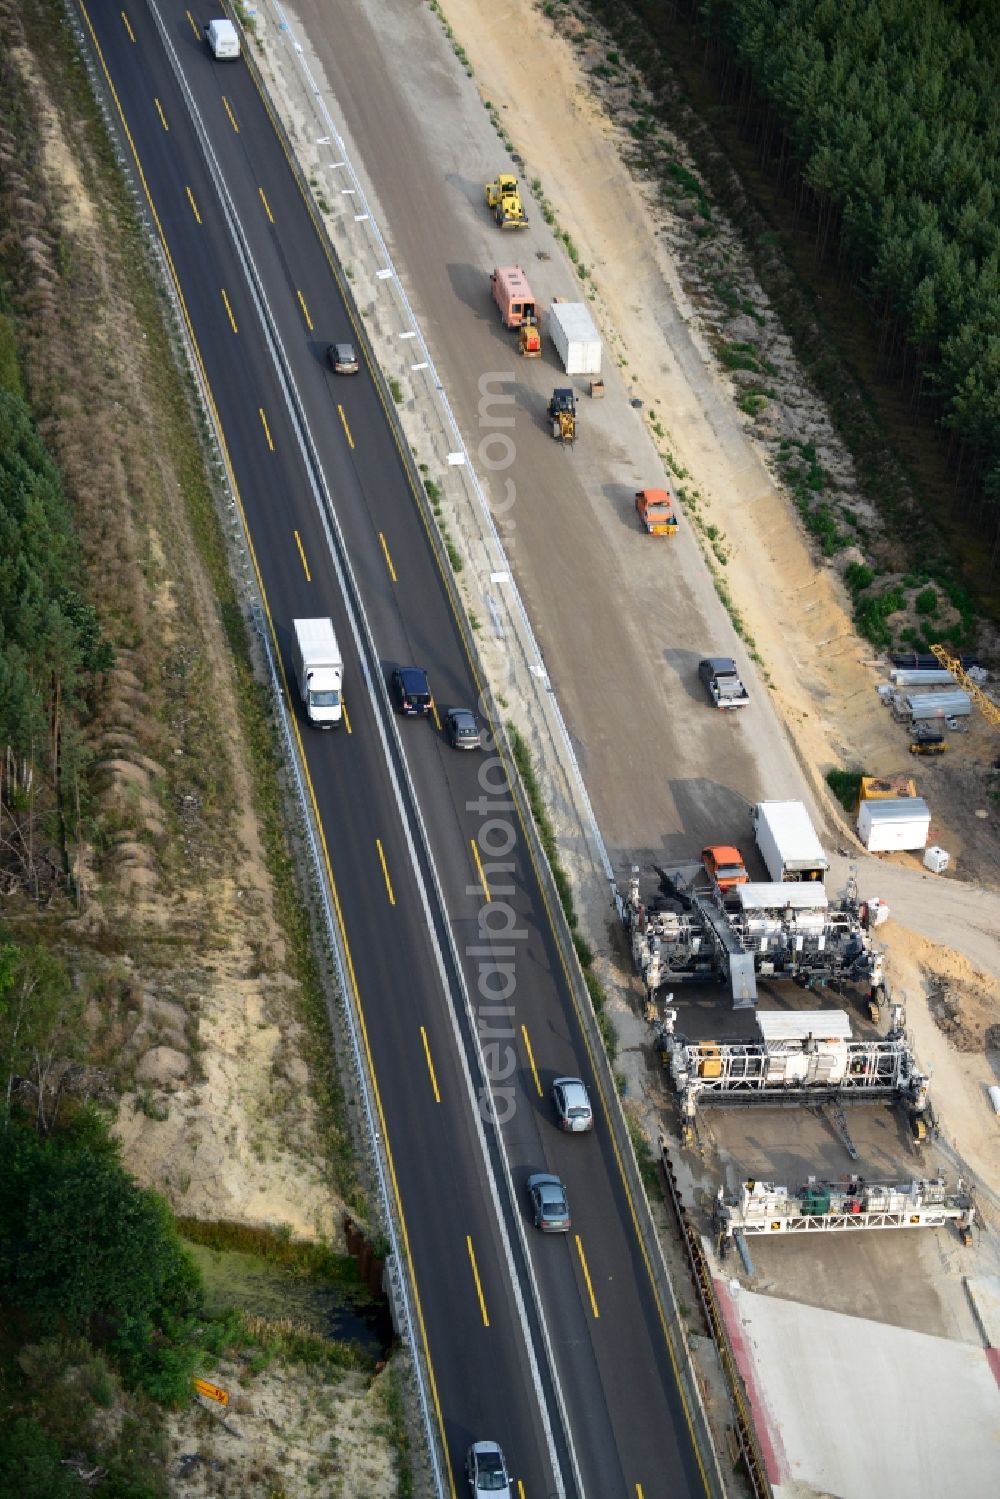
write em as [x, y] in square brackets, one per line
[552, 1345]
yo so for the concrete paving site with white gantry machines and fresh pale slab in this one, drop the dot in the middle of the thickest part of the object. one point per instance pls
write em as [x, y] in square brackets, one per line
[794, 1107]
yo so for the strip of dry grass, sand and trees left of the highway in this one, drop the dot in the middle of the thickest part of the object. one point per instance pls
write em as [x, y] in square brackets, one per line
[164, 1029]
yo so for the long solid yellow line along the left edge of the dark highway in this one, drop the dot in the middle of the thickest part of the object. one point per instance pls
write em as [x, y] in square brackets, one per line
[349, 957]
